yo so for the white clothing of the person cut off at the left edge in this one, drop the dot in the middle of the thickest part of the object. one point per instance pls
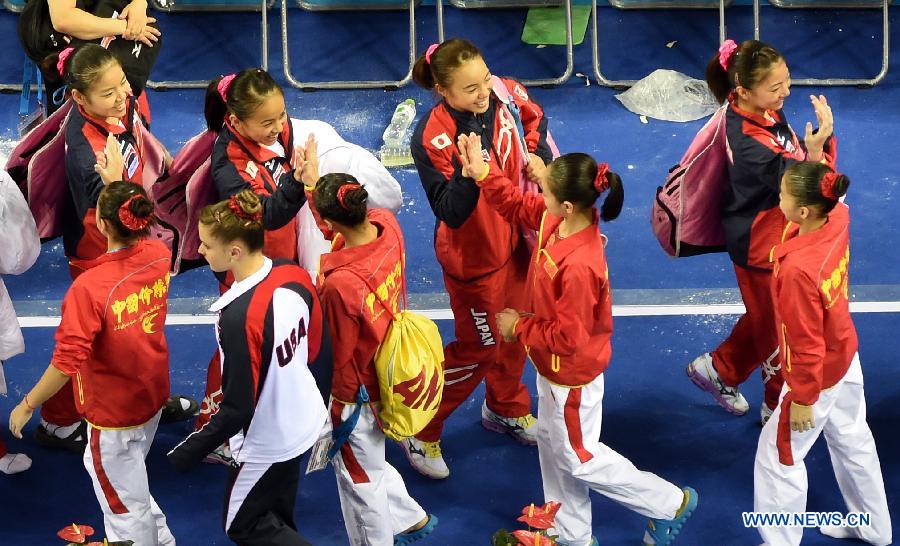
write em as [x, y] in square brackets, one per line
[19, 248]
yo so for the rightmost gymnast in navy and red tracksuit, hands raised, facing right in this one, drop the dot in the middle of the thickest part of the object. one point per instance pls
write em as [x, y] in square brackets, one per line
[754, 79]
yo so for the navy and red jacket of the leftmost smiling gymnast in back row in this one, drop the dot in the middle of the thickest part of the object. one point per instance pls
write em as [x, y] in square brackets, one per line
[84, 137]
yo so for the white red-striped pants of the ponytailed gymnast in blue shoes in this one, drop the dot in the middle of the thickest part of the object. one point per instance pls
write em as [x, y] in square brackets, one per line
[574, 461]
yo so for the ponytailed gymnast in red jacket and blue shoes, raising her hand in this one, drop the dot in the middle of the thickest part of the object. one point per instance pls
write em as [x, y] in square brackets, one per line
[566, 330]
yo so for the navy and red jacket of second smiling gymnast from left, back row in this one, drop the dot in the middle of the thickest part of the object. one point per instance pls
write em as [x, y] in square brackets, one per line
[238, 163]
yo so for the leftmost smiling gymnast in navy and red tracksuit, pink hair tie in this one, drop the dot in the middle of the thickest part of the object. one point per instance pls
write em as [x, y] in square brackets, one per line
[105, 115]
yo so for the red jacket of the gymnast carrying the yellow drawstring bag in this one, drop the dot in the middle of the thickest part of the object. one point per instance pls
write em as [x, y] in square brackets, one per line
[354, 313]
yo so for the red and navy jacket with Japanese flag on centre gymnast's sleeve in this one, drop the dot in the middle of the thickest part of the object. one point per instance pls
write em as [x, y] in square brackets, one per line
[465, 222]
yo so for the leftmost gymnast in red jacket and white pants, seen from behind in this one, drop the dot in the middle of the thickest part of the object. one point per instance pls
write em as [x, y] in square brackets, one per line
[111, 343]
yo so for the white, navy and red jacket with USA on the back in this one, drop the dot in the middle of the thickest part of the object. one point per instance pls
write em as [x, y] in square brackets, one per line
[276, 370]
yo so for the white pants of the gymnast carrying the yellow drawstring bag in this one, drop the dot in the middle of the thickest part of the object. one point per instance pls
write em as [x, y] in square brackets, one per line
[374, 500]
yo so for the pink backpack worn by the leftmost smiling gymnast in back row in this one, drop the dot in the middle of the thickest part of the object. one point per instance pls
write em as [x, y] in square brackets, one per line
[38, 166]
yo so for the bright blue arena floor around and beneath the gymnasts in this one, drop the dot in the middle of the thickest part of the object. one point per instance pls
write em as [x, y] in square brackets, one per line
[653, 414]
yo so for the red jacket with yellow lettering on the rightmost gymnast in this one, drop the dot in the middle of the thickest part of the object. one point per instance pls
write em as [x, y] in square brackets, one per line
[810, 287]
